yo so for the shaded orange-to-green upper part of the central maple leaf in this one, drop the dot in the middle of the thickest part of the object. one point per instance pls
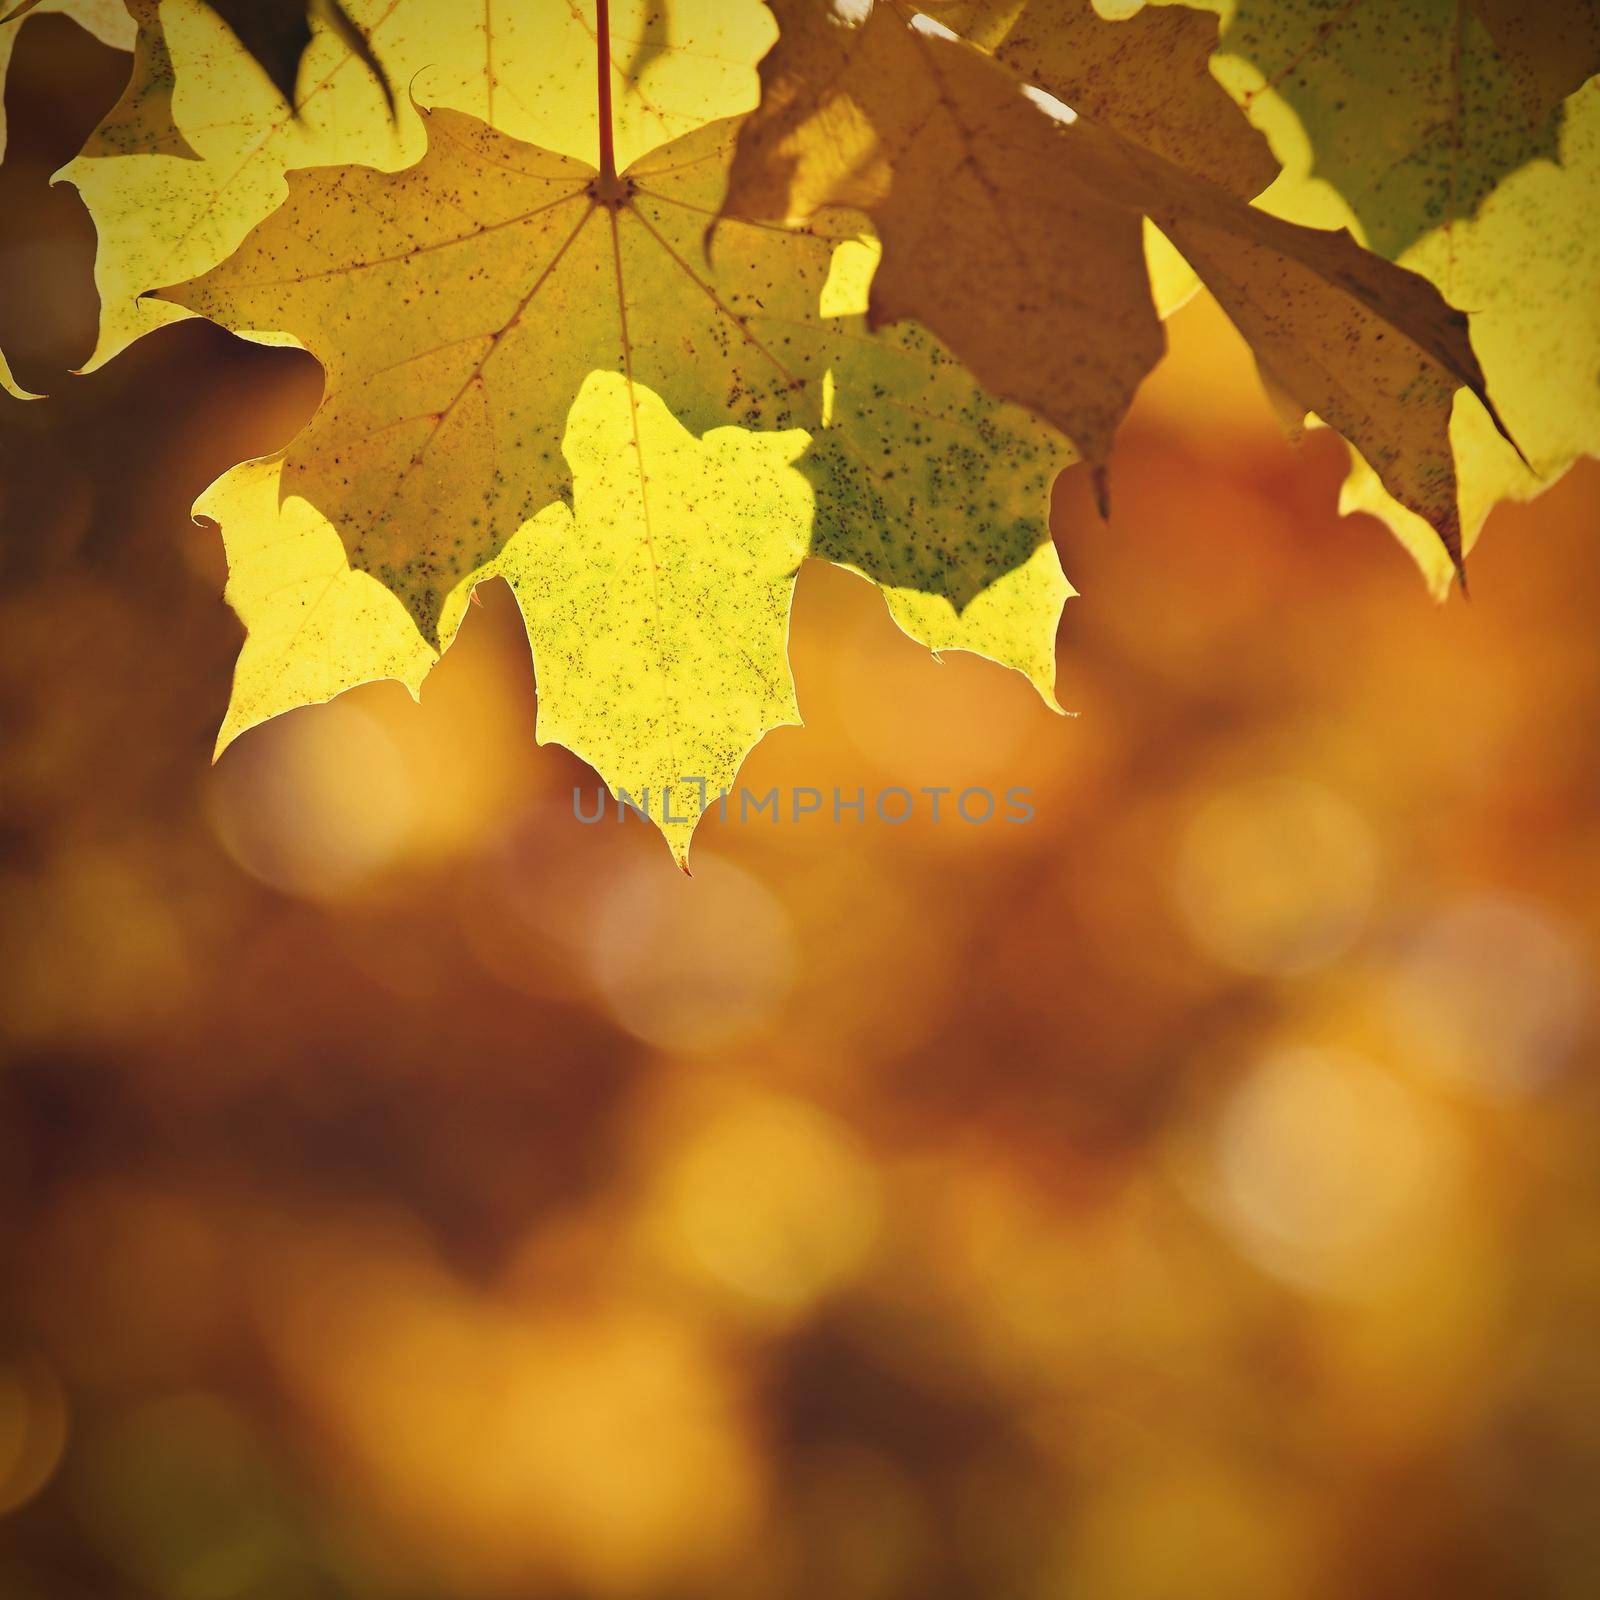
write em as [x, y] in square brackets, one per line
[460, 305]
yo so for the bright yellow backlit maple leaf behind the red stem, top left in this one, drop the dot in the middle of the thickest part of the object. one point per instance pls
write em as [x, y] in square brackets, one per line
[527, 70]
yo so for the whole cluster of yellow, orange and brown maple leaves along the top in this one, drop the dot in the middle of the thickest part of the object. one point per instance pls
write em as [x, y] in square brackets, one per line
[641, 303]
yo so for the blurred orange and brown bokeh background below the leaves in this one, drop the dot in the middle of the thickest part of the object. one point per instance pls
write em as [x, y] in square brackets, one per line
[409, 1193]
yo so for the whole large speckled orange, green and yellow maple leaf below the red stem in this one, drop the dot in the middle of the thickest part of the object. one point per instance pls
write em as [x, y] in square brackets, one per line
[463, 305]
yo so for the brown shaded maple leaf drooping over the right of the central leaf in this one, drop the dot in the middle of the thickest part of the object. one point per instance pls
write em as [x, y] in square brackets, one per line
[1042, 290]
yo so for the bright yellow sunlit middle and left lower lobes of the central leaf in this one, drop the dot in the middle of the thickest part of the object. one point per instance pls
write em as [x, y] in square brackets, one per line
[658, 625]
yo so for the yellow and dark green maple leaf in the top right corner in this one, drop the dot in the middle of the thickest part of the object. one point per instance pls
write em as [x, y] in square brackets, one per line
[1522, 258]
